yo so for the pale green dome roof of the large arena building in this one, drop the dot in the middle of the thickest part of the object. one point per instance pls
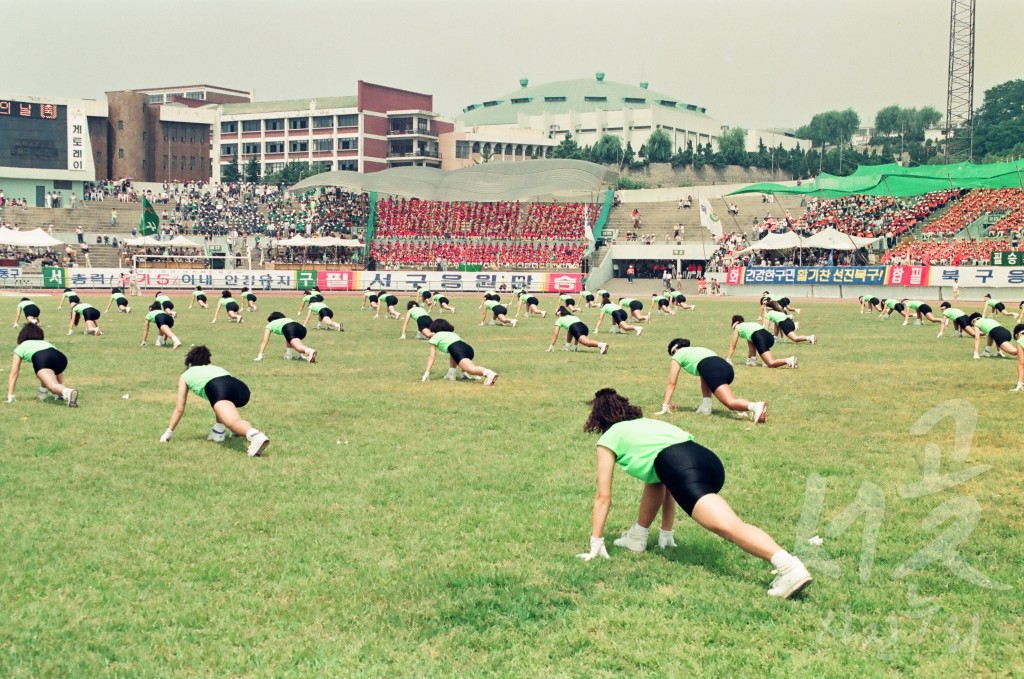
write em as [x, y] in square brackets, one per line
[567, 96]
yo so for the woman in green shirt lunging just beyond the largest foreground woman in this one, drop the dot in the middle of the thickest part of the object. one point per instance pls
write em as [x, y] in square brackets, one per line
[716, 375]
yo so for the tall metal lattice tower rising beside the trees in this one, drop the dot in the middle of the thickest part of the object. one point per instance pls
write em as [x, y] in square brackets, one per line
[960, 96]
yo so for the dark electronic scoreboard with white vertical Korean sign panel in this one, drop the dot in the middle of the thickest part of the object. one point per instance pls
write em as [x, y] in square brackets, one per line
[46, 137]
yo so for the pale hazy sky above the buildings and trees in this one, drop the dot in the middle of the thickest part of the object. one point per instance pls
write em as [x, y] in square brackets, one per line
[756, 64]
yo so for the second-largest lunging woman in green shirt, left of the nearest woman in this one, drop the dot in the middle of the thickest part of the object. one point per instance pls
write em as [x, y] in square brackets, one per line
[226, 394]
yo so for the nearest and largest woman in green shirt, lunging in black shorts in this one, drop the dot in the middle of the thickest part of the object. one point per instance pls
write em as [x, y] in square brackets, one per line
[674, 469]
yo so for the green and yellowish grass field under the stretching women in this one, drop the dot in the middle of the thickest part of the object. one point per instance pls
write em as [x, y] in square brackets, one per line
[403, 529]
